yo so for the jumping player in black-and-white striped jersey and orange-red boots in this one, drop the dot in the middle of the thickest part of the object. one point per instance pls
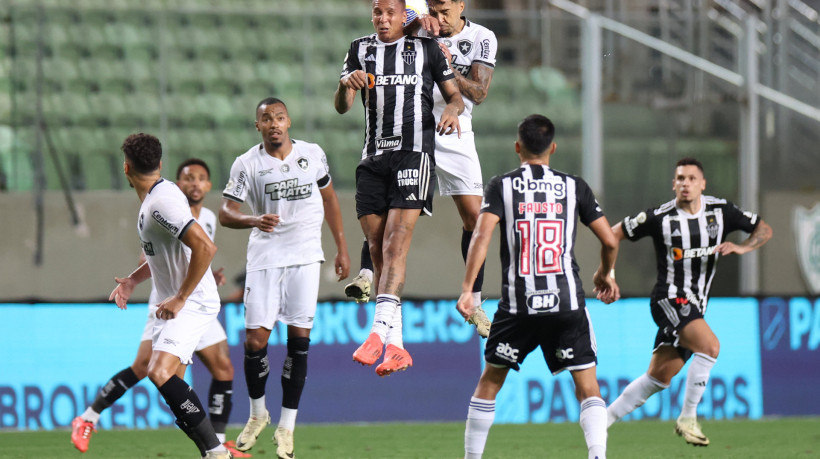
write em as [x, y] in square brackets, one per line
[395, 178]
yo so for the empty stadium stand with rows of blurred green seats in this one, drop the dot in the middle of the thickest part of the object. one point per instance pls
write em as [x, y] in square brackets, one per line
[191, 71]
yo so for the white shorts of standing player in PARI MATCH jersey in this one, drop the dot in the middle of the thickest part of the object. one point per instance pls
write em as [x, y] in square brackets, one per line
[286, 294]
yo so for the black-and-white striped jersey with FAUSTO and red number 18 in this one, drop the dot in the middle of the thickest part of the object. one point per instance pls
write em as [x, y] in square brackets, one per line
[539, 209]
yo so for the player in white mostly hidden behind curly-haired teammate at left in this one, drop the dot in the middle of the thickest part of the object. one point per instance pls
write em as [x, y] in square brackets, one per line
[193, 178]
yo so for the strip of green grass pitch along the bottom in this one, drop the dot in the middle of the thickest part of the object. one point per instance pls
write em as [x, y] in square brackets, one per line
[769, 438]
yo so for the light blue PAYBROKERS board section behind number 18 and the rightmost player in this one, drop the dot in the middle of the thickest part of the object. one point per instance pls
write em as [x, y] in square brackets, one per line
[625, 335]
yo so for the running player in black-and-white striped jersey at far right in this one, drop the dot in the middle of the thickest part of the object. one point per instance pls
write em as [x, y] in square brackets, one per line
[689, 234]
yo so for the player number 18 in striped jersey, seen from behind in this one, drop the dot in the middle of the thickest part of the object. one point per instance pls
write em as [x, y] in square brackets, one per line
[542, 300]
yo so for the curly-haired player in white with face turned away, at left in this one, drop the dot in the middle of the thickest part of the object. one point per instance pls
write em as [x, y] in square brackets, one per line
[190, 301]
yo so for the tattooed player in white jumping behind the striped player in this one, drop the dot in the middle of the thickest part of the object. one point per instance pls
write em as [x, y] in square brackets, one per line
[470, 50]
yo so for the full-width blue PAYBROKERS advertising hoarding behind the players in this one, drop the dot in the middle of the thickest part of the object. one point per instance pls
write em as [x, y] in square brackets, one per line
[57, 356]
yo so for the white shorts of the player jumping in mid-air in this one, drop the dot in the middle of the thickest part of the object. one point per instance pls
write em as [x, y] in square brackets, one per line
[457, 166]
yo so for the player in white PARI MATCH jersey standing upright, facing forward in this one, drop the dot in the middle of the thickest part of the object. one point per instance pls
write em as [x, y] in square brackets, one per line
[286, 183]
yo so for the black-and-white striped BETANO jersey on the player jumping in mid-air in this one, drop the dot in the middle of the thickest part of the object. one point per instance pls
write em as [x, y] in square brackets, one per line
[398, 100]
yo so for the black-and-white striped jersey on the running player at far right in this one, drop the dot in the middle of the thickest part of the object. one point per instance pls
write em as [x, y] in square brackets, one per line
[685, 244]
